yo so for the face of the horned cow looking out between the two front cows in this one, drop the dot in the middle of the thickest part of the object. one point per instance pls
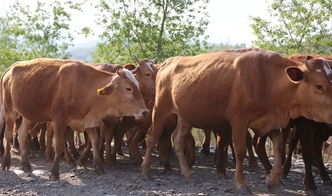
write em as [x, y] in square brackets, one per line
[145, 73]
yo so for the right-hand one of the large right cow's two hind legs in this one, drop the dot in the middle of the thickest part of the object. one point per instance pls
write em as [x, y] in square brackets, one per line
[181, 132]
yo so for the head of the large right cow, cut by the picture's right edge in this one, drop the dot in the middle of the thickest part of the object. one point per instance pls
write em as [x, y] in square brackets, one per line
[314, 90]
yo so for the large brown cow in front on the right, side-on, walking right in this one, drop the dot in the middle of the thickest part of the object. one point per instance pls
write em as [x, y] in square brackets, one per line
[238, 86]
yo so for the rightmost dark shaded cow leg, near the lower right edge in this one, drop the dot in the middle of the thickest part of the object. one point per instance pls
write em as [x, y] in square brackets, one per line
[319, 160]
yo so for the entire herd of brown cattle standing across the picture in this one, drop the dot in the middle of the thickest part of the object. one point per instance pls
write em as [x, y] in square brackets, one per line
[226, 92]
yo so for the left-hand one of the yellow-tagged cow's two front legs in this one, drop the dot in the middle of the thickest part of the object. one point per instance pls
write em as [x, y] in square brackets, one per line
[59, 133]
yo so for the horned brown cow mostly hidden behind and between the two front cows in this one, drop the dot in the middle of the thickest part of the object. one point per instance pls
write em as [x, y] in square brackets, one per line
[145, 73]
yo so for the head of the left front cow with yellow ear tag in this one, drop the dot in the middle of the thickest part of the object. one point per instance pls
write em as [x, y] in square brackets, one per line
[125, 95]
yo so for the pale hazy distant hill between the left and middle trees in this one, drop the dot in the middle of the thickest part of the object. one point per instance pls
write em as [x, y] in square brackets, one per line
[83, 51]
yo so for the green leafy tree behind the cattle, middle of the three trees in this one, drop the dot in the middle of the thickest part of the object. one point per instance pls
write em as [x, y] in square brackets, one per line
[150, 29]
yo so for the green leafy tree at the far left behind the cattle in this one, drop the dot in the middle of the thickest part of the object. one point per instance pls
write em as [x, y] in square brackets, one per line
[42, 31]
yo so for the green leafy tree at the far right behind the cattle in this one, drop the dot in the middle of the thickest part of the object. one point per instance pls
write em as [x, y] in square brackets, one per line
[296, 26]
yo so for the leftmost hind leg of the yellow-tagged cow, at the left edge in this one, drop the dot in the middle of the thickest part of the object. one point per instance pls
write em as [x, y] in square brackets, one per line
[8, 137]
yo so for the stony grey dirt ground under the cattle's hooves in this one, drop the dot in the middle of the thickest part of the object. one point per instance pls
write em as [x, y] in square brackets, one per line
[124, 179]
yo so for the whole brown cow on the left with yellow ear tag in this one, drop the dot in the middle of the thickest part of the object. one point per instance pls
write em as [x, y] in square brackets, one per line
[68, 93]
